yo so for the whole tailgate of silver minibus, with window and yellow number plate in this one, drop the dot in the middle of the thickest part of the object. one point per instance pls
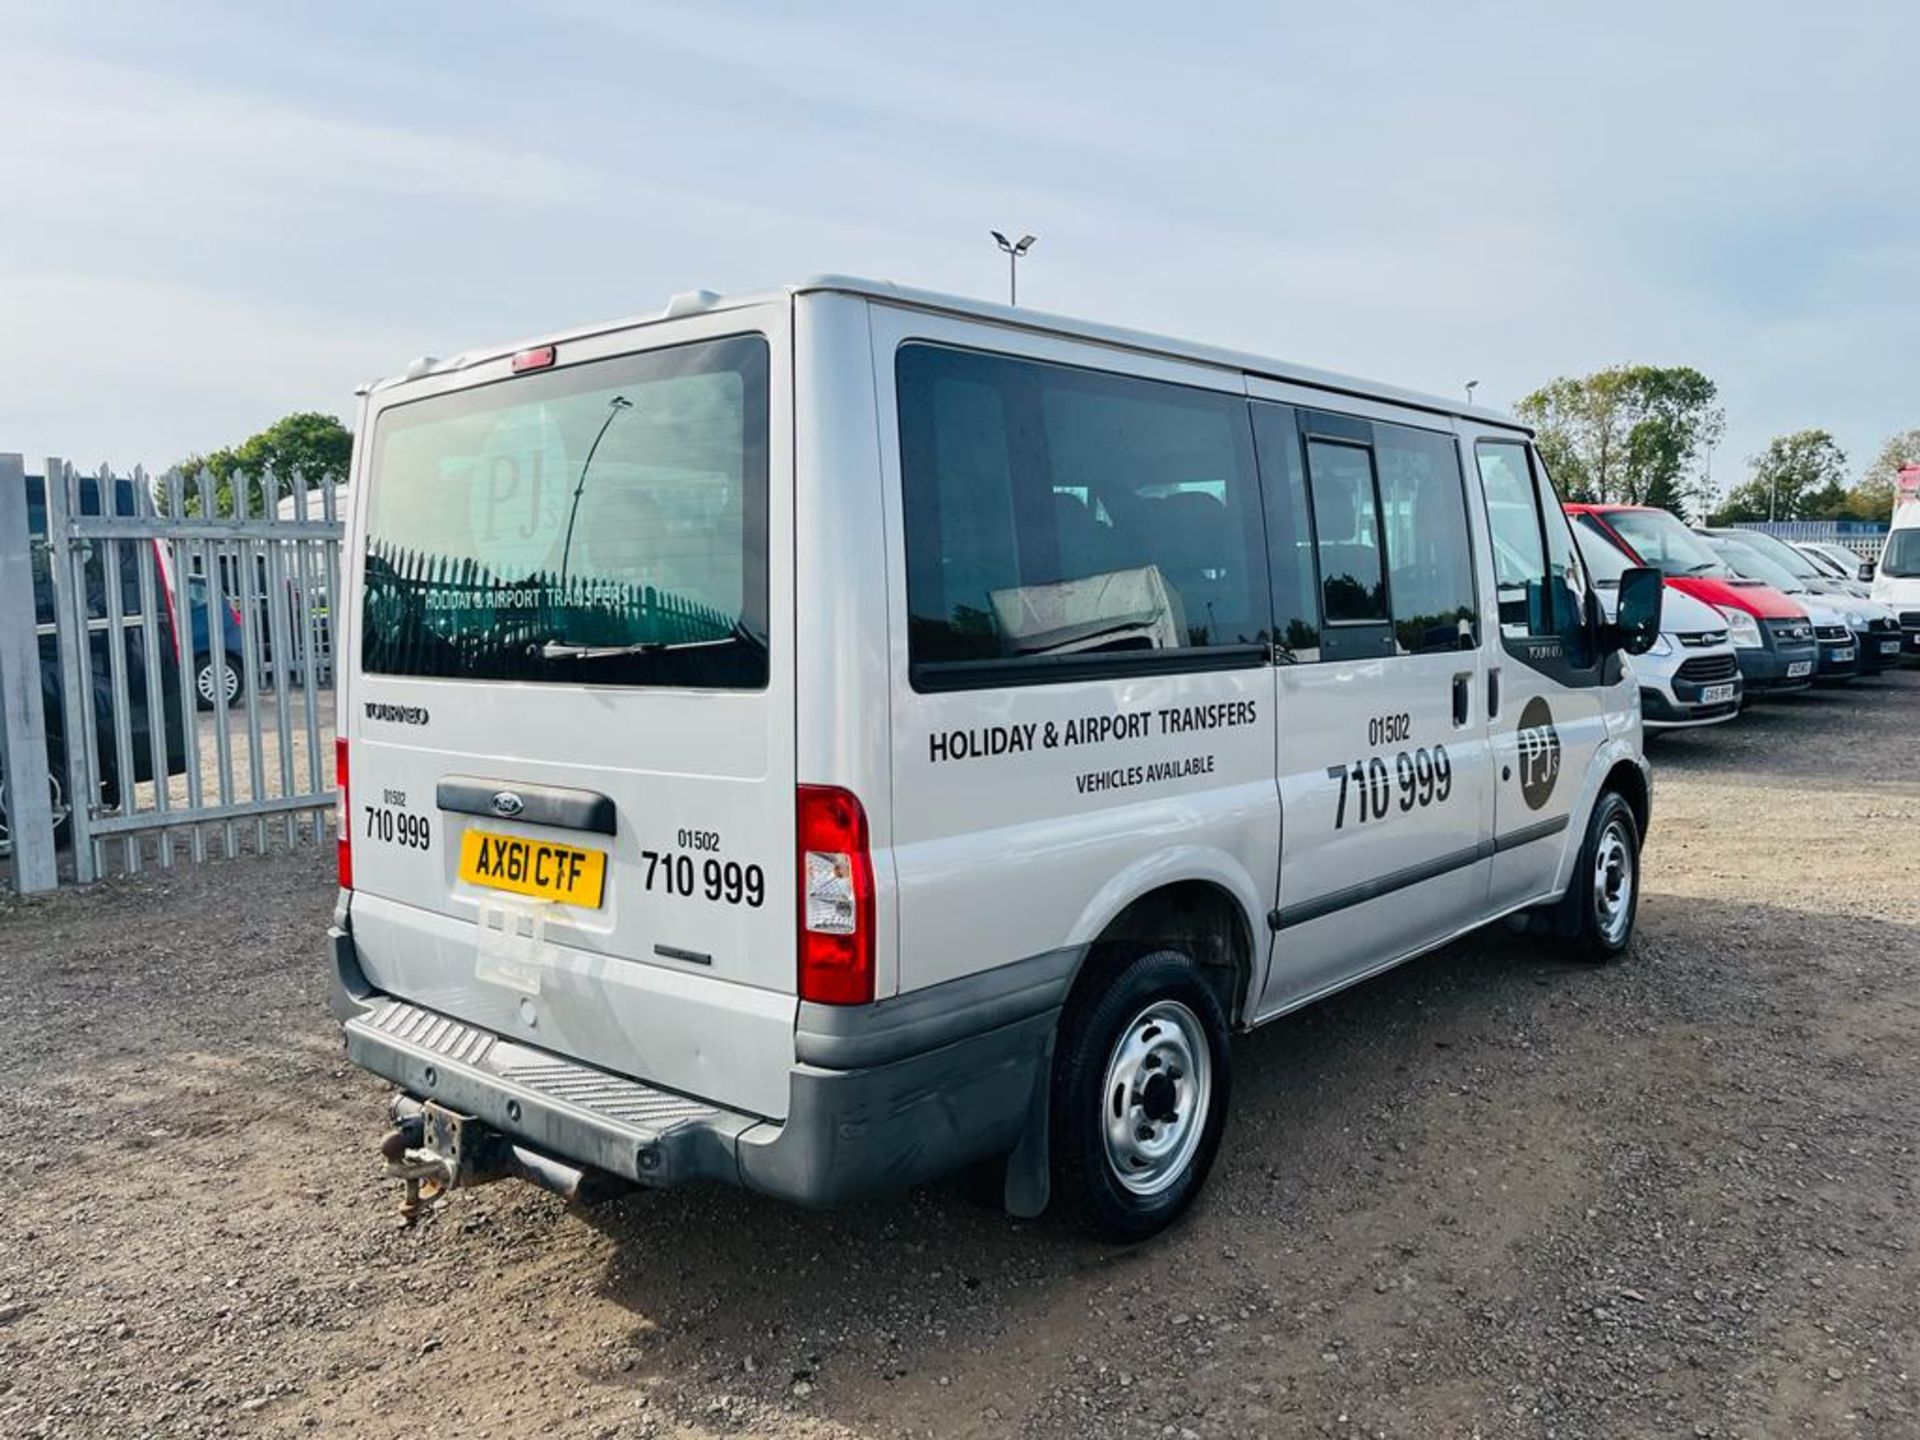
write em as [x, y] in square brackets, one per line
[569, 721]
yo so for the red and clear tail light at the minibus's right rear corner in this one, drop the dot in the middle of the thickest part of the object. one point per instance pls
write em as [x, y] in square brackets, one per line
[836, 898]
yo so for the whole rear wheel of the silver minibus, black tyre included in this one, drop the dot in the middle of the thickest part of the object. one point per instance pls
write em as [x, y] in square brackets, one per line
[1141, 1082]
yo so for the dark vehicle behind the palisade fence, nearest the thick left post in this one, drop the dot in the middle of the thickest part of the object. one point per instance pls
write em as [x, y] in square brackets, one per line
[153, 721]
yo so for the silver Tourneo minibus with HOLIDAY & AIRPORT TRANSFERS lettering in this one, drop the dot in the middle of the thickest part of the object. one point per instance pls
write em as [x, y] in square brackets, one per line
[830, 738]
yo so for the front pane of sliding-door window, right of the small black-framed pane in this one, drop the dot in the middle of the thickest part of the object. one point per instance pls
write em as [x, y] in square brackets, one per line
[1429, 558]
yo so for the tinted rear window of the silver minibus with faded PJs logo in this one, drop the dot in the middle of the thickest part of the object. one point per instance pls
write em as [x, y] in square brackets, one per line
[596, 525]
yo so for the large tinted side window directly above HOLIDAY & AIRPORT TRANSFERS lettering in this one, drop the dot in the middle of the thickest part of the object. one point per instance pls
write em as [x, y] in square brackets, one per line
[1061, 512]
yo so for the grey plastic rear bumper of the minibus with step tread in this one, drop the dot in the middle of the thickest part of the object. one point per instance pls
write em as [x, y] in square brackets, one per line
[850, 1132]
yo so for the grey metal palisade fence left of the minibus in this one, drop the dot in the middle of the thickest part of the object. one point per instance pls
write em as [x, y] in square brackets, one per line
[178, 638]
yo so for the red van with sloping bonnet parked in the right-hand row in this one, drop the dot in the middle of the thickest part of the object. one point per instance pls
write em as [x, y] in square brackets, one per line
[1771, 635]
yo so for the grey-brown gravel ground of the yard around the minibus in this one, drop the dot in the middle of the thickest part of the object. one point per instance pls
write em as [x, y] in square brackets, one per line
[1491, 1195]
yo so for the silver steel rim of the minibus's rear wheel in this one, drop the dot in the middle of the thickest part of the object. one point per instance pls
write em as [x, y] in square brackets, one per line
[1157, 1097]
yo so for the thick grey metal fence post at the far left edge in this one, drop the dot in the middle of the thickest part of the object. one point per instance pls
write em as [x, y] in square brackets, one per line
[30, 811]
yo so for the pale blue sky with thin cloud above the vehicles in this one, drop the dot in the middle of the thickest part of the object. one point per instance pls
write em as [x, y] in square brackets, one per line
[228, 212]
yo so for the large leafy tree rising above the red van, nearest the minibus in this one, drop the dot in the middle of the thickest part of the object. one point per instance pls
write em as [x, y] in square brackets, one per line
[1633, 433]
